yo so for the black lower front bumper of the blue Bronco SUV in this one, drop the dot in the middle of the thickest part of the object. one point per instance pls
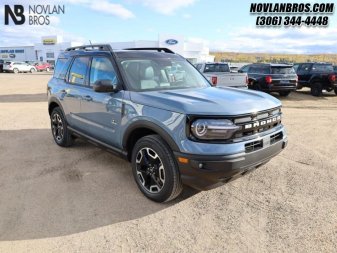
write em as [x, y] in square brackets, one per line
[205, 172]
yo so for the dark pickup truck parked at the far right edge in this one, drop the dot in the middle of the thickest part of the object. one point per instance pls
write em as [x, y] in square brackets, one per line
[317, 76]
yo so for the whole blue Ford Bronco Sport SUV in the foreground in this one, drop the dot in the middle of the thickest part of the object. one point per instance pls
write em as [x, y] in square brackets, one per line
[173, 130]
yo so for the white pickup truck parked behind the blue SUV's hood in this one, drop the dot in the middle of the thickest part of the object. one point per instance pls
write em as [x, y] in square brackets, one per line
[219, 74]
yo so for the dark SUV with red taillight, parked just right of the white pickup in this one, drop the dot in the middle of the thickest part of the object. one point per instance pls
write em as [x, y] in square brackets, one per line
[268, 77]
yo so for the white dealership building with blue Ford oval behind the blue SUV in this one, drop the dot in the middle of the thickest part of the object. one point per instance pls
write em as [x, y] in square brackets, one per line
[50, 47]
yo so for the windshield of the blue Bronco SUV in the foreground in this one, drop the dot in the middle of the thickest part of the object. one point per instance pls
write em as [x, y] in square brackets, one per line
[161, 73]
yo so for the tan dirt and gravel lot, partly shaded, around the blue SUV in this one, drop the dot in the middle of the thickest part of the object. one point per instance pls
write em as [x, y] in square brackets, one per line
[82, 199]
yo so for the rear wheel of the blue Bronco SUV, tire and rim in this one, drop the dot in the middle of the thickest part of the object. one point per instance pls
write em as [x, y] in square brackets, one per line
[59, 128]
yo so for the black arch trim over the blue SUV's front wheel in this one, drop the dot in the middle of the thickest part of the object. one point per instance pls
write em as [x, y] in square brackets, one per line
[150, 126]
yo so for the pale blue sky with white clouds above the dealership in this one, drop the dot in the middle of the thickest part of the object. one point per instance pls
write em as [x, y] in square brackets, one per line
[223, 25]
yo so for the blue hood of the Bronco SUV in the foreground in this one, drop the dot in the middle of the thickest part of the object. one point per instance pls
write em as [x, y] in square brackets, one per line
[207, 101]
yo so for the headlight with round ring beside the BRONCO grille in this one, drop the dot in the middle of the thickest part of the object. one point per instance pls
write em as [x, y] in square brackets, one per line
[213, 129]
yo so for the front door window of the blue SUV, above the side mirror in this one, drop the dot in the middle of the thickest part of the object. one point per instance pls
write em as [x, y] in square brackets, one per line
[102, 69]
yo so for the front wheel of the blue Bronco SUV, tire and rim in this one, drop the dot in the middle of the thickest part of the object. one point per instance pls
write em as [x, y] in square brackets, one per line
[155, 169]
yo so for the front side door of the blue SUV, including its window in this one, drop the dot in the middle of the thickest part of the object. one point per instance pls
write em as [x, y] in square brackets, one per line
[101, 112]
